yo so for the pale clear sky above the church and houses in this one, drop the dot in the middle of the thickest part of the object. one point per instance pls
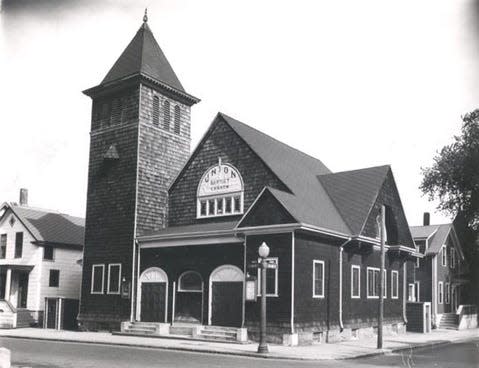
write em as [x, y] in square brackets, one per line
[353, 83]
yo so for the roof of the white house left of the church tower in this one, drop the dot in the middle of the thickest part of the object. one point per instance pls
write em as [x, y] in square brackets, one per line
[48, 226]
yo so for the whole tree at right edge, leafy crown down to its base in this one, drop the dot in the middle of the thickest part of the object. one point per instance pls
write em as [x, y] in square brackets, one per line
[453, 179]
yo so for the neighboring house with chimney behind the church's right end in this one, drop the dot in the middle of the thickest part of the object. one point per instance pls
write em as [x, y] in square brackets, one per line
[439, 273]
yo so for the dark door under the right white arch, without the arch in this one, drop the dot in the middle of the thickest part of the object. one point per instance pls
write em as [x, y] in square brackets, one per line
[226, 303]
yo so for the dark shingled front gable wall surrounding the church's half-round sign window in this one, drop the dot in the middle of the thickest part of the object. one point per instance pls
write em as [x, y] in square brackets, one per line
[222, 142]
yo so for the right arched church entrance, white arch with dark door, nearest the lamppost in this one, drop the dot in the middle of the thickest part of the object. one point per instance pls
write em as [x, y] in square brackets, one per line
[226, 296]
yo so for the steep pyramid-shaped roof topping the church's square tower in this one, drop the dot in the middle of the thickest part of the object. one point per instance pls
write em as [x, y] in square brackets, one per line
[143, 56]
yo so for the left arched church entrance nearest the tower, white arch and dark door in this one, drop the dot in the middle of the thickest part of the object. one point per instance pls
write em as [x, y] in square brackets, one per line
[153, 295]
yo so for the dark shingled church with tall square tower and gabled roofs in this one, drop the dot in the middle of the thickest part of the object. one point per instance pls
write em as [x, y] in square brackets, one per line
[173, 237]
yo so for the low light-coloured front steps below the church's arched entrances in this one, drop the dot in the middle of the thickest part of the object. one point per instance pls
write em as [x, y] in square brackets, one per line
[185, 331]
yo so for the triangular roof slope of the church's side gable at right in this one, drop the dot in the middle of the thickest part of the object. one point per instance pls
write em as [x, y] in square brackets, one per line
[354, 193]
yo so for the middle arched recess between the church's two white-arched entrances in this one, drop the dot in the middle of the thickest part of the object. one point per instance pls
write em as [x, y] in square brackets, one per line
[189, 298]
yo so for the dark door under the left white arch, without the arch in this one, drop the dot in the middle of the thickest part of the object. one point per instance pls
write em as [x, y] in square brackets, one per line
[153, 296]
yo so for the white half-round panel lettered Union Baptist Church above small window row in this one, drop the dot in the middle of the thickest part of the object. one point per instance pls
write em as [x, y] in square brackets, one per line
[220, 179]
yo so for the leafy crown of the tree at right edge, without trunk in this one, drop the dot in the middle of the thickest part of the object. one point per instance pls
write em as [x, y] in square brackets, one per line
[454, 176]
